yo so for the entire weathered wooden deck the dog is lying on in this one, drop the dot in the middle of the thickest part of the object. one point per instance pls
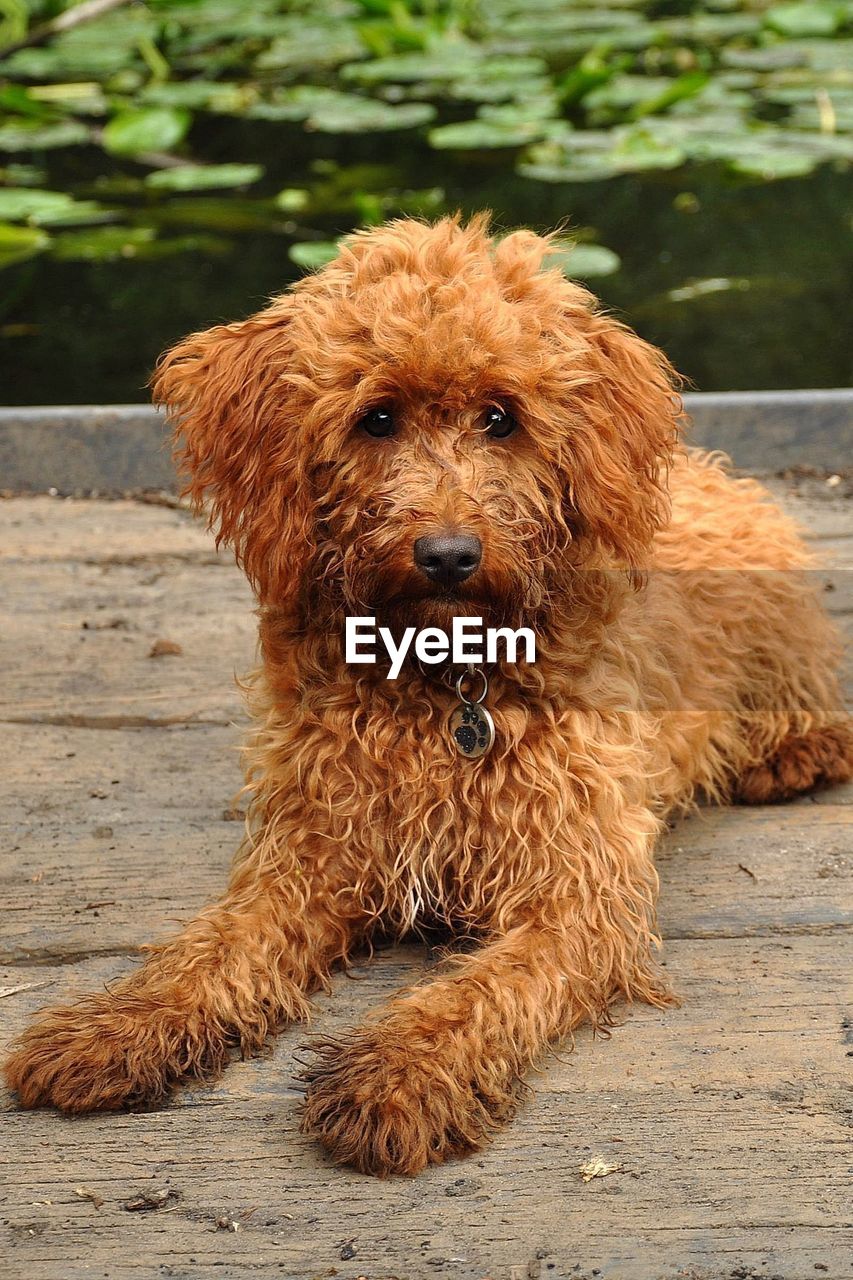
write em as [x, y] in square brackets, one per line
[727, 1116]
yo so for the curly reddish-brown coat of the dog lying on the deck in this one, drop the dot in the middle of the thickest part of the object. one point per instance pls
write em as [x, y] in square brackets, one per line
[682, 652]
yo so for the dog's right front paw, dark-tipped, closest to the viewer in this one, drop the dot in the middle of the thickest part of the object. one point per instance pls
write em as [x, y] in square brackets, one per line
[387, 1107]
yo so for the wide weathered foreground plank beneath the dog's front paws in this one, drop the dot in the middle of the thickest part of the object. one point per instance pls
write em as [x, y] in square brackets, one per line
[727, 1117]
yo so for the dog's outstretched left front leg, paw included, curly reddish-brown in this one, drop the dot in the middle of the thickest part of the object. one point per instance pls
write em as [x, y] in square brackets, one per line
[241, 971]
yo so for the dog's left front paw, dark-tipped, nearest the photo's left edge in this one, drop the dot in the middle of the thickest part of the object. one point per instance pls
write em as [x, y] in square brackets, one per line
[103, 1054]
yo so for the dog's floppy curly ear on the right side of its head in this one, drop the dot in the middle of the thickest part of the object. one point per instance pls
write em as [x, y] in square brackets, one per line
[624, 440]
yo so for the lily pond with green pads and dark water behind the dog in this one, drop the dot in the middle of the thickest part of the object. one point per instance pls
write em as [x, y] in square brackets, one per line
[170, 163]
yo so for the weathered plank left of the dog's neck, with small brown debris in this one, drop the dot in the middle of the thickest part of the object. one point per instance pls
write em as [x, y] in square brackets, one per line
[79, 638]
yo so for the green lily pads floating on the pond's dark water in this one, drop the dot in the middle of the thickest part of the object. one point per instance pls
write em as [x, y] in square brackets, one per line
[568, 93]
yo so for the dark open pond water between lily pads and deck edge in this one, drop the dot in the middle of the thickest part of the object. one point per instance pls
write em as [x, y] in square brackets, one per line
[743, 285]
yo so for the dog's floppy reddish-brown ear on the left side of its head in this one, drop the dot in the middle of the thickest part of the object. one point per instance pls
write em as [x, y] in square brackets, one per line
[236, 444]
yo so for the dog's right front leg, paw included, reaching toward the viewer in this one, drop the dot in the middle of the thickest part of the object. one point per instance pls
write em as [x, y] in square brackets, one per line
[443, 1067]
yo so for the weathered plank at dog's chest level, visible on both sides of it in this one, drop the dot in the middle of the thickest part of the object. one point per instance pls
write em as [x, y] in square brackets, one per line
[106, 851]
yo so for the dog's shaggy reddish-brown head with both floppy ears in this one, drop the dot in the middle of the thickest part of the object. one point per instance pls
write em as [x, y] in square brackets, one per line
[435, 424]
